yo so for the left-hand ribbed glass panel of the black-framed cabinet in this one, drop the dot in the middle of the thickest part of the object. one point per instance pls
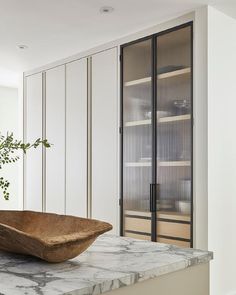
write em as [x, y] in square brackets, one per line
[137, 139]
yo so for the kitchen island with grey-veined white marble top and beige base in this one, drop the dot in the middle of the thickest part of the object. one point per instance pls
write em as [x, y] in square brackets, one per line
[112, 265]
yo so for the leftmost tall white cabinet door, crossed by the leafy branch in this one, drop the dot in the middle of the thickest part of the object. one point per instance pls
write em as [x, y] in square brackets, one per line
[33, 130]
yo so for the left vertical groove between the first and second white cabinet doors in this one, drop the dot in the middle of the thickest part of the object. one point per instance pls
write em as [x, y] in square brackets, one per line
[43, 148]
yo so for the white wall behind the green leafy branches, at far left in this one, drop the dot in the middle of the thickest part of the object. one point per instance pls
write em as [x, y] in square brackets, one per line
[9, 121]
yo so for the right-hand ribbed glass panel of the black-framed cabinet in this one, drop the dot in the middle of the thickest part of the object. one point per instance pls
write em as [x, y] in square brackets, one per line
[174, 137]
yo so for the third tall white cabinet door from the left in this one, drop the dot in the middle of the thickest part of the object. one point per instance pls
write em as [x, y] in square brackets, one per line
[76, 138]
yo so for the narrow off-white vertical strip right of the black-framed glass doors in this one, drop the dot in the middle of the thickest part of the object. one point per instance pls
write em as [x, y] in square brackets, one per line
[200, 130]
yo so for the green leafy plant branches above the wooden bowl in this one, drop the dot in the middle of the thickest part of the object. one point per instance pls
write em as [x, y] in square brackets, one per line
[8, 148]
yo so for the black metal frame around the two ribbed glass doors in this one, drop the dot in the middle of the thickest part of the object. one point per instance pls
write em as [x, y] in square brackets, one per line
[153, 185]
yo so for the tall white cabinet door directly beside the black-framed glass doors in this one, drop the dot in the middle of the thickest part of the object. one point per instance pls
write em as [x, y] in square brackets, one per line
[105, 137]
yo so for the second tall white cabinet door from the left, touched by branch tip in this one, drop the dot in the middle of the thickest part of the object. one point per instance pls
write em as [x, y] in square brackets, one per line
[55, 133]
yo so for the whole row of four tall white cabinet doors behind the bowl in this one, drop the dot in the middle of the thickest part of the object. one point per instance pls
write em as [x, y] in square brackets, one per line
[74, 106]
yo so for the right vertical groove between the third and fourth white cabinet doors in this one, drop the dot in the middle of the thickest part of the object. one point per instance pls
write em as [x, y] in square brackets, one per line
[89, 138]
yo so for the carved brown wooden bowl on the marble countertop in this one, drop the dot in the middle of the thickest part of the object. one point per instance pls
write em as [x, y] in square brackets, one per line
[51, 237]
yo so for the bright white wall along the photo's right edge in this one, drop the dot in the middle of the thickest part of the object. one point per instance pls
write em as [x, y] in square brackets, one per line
[222, 151]
